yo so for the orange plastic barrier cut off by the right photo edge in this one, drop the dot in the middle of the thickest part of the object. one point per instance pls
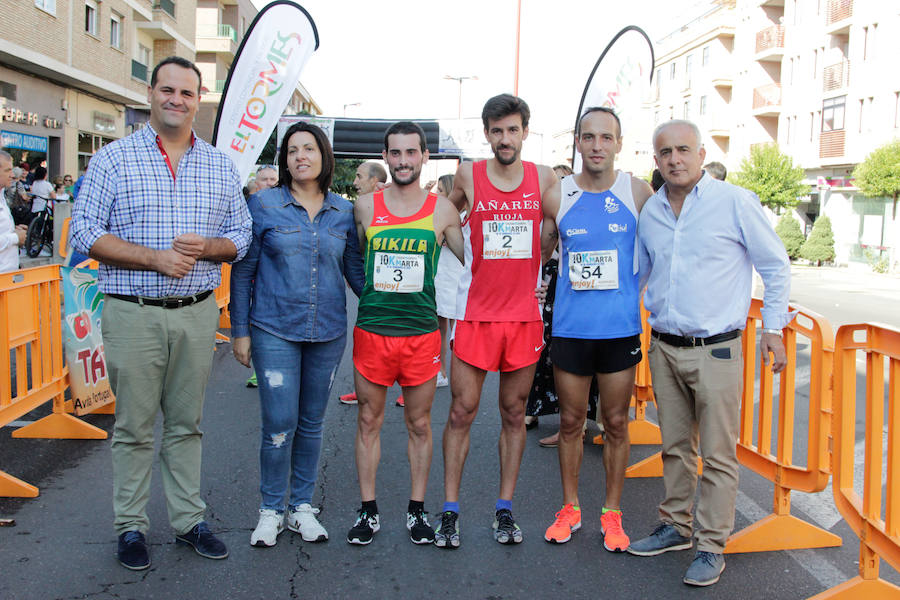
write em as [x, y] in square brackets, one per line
[879, 535]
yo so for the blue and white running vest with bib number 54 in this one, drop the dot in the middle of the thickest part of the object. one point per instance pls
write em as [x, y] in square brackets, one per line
[597, 295]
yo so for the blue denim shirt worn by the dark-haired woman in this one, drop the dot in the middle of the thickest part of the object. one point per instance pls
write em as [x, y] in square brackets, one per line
[291, 282]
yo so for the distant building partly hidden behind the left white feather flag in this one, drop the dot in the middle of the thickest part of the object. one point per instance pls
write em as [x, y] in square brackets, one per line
[221, 25]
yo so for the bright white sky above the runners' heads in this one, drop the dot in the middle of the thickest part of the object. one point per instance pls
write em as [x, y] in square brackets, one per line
[389, 59]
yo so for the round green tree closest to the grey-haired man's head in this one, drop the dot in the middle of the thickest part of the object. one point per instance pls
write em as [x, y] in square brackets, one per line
[772, 176]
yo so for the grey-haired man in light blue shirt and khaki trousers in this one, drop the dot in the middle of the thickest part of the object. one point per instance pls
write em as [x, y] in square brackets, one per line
[699, 241]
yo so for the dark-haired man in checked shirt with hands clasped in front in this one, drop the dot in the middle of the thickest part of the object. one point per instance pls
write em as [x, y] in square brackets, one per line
[160, 210]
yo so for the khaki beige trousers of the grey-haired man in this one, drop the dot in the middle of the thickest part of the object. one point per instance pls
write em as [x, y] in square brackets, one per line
[698, 397]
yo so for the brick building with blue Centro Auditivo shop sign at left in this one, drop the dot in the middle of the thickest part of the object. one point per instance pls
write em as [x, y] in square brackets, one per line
[74, 73]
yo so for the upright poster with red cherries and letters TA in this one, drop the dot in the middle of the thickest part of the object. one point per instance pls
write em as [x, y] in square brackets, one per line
[88, 376]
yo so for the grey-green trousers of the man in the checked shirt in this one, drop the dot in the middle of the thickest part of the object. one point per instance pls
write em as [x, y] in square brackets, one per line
[159, 361]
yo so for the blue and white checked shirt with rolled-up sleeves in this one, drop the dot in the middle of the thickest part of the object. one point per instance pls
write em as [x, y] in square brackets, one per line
[129, 192]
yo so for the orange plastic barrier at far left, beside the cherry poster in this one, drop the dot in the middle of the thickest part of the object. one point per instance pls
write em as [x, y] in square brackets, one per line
[31, 328]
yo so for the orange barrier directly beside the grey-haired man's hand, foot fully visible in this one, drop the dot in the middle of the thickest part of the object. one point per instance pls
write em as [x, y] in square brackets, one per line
[781, 530]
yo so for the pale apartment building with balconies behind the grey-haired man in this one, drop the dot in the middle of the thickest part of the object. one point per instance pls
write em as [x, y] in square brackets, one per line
[816, 76]
